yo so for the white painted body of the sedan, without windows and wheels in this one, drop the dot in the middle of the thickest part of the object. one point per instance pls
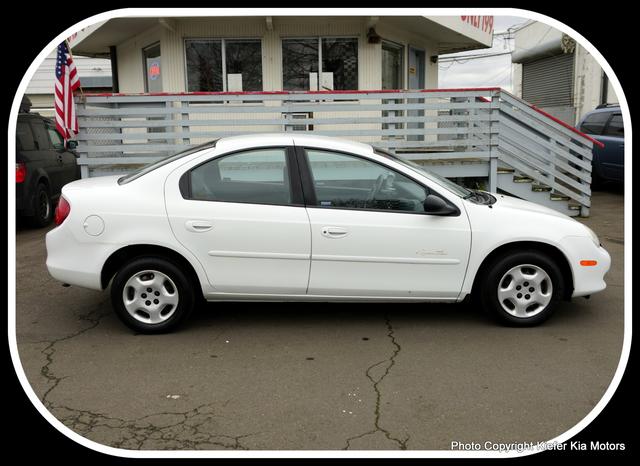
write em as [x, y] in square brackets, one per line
[259, 252]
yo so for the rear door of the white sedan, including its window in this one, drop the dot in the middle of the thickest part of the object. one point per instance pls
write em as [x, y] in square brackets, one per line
[242, 215]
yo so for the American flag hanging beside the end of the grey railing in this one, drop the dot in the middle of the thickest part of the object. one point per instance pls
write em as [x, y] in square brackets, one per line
[67, 81]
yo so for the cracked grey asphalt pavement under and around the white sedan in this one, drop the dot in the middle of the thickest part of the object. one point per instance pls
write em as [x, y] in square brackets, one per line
[316, 375]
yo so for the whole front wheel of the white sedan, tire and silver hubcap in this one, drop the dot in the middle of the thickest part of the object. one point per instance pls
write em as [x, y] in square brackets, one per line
[522, 289]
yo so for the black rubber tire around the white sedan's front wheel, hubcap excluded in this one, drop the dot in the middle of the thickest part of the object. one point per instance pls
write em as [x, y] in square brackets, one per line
[487, 289]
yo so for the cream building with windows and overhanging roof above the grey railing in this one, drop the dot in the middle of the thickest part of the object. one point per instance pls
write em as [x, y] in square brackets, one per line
[218, 54]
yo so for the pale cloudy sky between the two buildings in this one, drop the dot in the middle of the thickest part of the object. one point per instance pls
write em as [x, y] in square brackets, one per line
[484, 72]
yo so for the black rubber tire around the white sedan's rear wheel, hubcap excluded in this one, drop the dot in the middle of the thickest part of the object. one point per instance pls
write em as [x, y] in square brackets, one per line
[183, 287]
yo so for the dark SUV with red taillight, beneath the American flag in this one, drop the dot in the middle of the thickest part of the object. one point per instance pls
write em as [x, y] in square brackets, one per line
[43, 166]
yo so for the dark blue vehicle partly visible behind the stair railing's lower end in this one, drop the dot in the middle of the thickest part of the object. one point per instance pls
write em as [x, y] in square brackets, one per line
[605, 124]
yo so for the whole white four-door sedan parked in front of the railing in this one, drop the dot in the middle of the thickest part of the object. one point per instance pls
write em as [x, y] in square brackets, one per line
[282, 217]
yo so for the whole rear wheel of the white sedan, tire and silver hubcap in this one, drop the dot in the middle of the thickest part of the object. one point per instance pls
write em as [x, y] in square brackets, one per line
[151, 295]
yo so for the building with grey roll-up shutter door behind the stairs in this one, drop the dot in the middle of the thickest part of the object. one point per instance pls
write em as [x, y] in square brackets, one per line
[553, 72]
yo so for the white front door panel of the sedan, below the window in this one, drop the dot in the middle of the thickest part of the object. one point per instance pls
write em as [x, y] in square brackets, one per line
[408, 255]
